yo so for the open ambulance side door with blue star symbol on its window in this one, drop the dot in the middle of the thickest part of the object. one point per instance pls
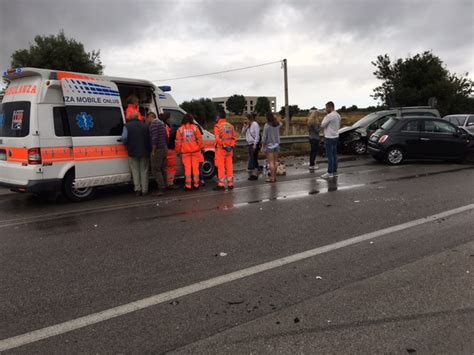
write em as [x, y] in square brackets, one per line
[96, 120]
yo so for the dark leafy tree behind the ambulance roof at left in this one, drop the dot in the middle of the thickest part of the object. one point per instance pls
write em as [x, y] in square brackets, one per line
[60, 53]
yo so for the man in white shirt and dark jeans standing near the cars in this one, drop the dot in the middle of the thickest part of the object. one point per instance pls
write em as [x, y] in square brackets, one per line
[331, 124]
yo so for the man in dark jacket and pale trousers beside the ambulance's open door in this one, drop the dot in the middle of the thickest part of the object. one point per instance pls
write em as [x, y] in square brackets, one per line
[136, 136]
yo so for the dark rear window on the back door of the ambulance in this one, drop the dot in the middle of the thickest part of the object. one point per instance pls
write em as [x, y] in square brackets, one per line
[15, 119]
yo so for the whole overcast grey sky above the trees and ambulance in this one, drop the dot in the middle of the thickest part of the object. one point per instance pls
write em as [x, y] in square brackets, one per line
[329, 44]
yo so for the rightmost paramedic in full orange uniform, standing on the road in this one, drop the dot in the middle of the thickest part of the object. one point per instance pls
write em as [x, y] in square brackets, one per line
[226, 138]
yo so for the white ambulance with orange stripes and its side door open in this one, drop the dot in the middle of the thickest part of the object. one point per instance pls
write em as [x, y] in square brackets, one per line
[61, 131]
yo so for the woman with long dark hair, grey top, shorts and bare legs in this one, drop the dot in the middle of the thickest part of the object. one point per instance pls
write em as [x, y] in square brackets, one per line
[271, 144]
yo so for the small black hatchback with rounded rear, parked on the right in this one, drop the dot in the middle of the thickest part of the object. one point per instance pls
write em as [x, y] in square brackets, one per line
[420, 138]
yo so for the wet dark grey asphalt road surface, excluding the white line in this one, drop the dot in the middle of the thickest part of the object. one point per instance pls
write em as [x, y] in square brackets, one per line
[406, 291]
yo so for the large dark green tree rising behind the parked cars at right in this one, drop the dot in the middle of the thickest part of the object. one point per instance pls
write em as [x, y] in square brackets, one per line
[416, 80]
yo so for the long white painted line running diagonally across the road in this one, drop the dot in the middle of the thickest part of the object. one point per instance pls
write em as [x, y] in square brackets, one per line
[61, 328]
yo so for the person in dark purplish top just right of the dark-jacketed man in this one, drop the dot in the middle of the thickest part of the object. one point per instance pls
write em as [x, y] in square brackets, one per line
[159, 150]
